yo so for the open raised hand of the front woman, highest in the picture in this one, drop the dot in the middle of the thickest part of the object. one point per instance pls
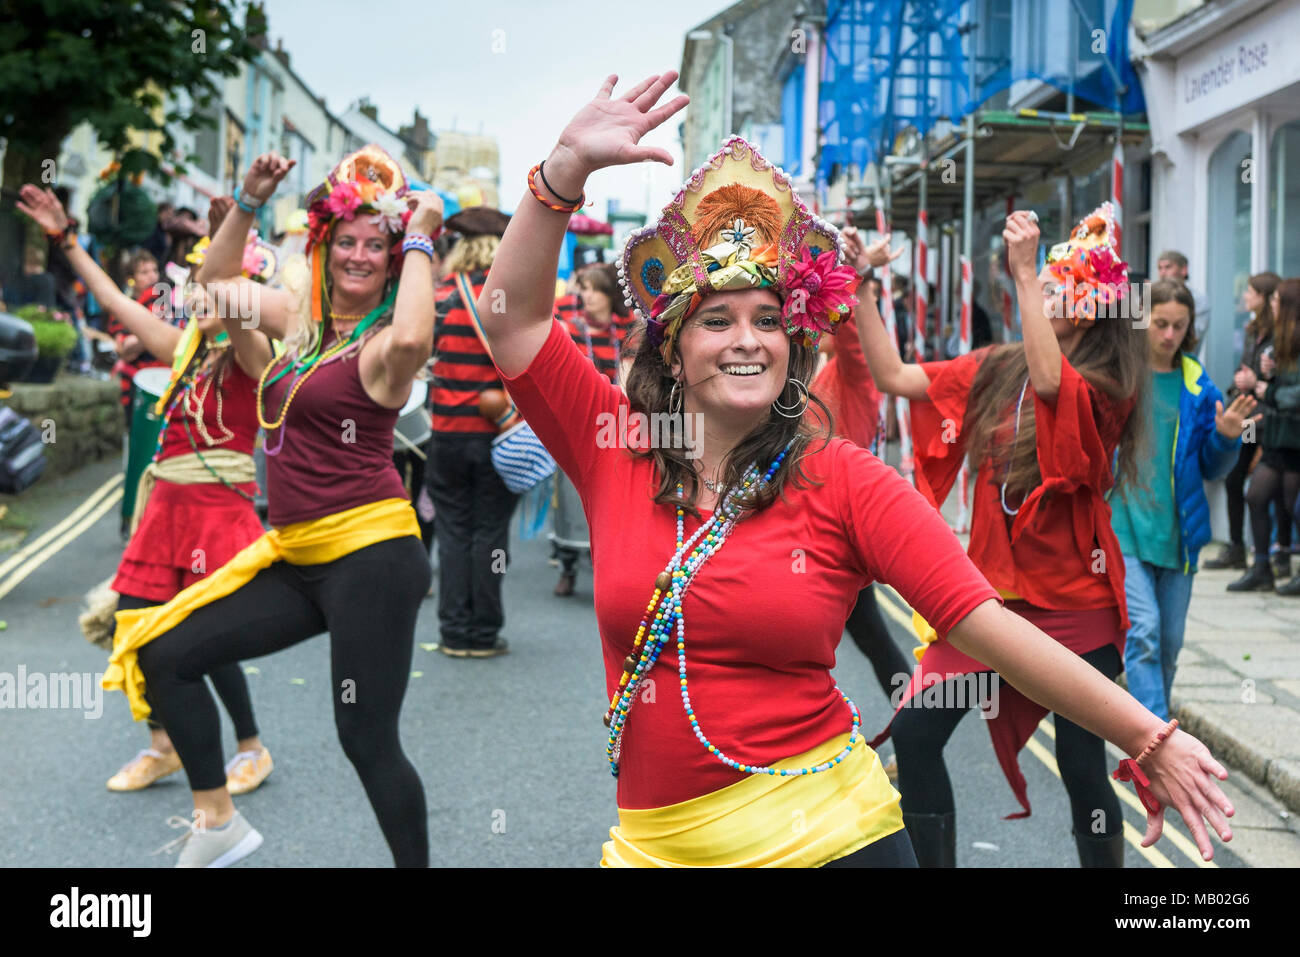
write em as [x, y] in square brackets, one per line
[608, 131]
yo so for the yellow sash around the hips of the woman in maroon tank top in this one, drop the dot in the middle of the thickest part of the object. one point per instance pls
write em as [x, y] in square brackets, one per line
[305, 543]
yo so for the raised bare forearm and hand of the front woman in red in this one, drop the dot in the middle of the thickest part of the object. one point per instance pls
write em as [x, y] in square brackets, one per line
[519, 298]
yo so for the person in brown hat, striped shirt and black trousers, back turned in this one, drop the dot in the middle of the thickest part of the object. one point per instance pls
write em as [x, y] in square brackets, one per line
[473, 505]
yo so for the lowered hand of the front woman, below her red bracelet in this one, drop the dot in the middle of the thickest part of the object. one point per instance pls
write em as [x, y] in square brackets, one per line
[1182, 774]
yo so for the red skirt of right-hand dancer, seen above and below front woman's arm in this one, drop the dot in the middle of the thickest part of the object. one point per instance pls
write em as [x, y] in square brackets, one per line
[1081, 631]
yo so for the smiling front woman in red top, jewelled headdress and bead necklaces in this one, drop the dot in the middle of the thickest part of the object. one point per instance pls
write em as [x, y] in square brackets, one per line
[740, 280]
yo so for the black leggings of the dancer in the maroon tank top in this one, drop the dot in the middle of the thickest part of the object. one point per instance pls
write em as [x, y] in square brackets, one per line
[369, 603]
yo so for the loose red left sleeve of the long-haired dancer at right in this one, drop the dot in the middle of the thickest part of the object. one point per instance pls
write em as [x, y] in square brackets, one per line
[938, 425]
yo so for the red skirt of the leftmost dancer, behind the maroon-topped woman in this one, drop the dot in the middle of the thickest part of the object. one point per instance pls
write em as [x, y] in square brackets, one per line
[187, 534]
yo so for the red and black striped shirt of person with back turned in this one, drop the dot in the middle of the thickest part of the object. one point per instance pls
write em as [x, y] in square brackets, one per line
[461, 369]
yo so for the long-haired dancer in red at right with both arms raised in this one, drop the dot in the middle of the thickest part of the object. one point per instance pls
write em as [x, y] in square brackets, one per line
[1042, 422]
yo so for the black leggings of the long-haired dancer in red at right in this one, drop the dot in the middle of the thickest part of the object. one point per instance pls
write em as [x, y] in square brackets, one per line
[920, 735]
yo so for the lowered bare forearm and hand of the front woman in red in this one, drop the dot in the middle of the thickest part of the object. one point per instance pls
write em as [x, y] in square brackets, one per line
[1182, 770]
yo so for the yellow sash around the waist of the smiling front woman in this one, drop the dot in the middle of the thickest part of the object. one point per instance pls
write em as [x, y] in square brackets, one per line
[768, 821]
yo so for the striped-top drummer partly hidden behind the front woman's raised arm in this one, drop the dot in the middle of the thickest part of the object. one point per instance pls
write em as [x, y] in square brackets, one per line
[599, 328]
